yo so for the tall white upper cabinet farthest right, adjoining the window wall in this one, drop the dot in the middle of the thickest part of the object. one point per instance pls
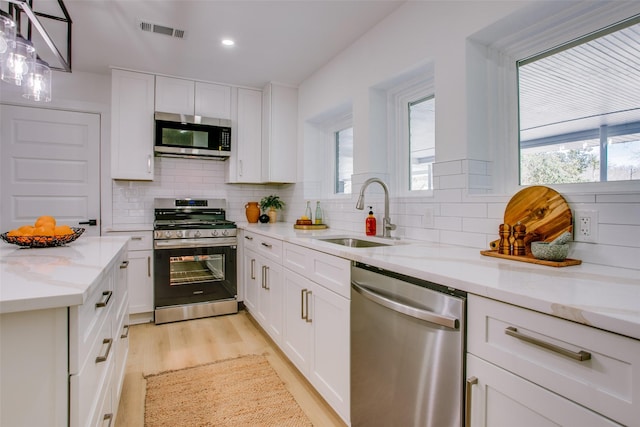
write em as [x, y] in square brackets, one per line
[279, 133]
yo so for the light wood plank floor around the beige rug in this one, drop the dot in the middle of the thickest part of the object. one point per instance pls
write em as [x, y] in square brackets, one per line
[157, 348]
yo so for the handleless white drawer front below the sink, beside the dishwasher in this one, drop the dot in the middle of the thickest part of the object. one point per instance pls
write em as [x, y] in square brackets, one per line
[329, 271]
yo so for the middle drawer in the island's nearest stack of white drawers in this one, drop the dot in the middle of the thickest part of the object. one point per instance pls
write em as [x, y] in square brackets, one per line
[87, 386]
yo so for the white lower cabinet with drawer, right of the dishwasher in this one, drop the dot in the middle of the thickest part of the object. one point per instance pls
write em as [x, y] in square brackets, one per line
[526, 368]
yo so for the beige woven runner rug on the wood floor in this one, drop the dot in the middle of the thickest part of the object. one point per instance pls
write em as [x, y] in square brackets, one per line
[237, 392]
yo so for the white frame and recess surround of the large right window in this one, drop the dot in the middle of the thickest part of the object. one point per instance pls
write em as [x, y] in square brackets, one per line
[497, 49]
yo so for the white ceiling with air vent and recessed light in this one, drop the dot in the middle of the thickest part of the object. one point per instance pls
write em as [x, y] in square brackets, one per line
[281, 41]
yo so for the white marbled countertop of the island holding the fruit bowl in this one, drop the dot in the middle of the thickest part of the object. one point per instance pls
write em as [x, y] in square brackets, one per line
[41, 278]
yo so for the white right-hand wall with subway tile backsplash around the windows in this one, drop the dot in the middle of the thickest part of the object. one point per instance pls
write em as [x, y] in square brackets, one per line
[440, 32]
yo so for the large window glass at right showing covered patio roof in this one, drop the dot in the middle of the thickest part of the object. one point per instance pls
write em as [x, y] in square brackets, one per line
[579, 109]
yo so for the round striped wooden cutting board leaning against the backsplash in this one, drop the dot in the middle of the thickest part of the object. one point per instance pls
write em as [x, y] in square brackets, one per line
[542, 210]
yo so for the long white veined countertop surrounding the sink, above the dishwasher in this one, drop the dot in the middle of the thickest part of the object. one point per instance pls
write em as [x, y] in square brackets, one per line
[603, 297]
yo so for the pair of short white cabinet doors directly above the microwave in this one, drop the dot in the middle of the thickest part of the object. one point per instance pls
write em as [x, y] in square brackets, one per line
[187, 97]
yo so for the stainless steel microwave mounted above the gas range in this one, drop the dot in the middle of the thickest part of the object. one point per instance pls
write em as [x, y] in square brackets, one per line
[179, 135]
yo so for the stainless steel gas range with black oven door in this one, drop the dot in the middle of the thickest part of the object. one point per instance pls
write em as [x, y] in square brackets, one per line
[194, 260]
